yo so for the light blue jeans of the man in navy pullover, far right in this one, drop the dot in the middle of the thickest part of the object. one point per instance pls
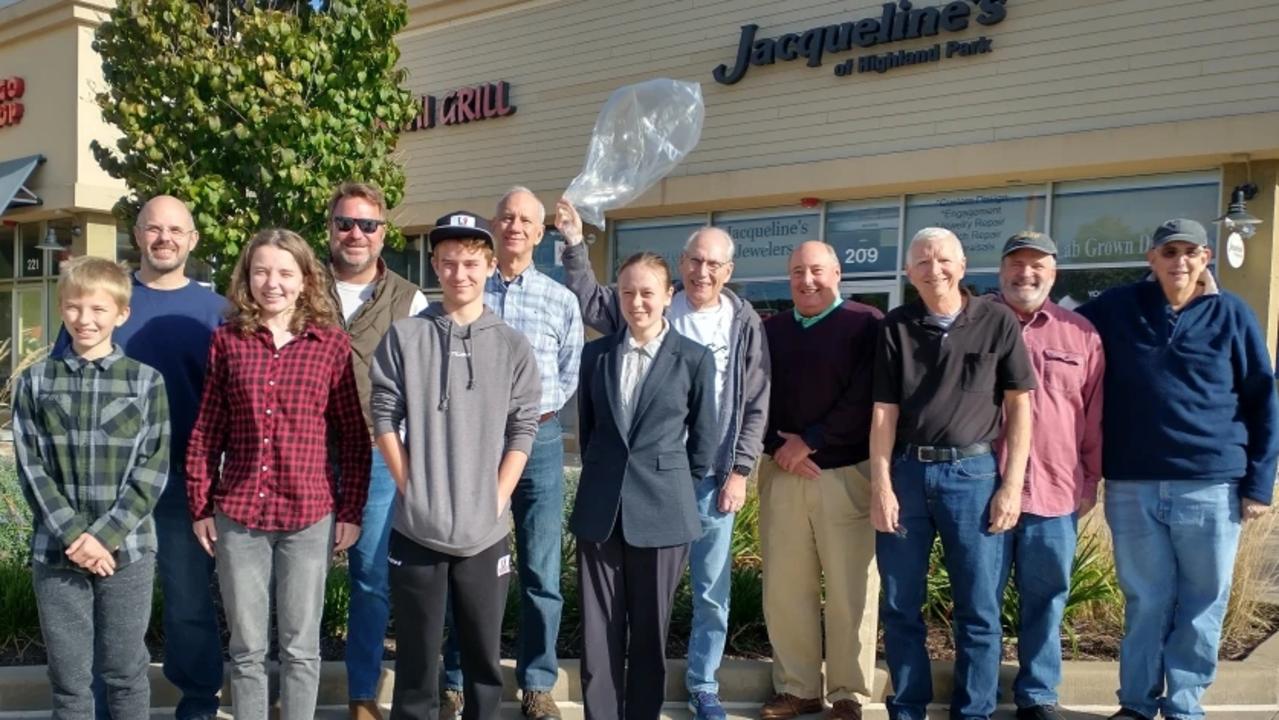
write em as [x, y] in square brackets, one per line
[1175, 556]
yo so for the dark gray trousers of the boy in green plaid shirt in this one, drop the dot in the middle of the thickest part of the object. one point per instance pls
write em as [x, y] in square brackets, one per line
[86, 617]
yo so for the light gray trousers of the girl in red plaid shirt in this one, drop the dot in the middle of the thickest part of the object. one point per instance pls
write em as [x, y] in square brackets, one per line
[249, 563]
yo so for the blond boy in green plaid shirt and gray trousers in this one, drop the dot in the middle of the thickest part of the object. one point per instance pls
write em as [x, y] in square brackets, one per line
[91, 437]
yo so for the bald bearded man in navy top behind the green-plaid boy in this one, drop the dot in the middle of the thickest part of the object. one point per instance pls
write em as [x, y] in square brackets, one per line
[169, 328]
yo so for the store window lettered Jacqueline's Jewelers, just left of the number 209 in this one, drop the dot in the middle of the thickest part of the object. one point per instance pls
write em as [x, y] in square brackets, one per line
[764, 240]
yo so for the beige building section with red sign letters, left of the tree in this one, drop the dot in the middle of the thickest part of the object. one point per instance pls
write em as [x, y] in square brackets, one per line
[53, 195]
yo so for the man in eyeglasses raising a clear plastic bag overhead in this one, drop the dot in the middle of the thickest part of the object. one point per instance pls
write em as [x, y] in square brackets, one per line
[710, 314]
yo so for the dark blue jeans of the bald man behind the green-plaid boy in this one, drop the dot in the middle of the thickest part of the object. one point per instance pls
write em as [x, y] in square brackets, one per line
[192, 645]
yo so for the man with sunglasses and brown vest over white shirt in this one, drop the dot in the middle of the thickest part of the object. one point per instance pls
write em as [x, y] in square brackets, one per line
[370, 297]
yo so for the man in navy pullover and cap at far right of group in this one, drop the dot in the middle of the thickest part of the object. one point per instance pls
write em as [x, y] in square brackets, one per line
[1190, 439]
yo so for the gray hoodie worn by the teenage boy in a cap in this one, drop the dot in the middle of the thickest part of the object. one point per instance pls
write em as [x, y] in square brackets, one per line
[465, 396]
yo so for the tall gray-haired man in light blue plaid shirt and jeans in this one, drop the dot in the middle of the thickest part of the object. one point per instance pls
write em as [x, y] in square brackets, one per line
[547, 314]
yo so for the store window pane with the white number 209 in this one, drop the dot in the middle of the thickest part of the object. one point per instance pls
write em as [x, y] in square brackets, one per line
[867, 236]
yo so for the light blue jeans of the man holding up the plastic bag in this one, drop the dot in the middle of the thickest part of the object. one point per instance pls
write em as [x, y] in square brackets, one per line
[709, 568]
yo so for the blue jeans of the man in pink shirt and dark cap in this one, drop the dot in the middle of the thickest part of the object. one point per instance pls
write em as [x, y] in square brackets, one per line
[1043, 553]
